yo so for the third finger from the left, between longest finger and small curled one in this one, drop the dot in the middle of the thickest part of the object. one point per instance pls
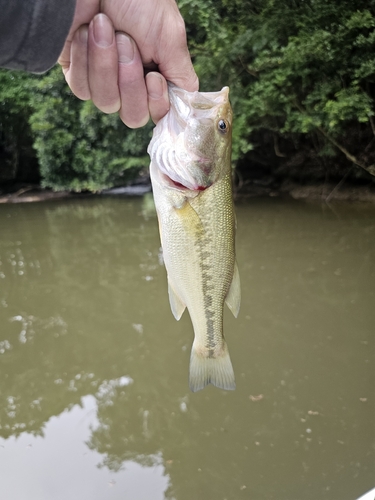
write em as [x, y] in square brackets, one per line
[134, 103]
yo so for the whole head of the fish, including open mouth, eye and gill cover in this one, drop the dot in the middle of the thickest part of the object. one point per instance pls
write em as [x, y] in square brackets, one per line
[192, 143]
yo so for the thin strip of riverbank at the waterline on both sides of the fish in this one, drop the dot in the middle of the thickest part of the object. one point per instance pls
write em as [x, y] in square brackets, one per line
[324, 192]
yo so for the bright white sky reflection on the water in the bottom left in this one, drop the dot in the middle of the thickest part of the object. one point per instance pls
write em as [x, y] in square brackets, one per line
[58, 465]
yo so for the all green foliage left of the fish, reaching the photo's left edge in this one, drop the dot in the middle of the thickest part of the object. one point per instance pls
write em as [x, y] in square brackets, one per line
[77, 147]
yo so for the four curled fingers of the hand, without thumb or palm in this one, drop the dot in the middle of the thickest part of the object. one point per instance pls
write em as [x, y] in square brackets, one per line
[107, 68]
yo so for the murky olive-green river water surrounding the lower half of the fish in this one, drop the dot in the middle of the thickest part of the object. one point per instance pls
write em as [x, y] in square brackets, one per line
[93, 367]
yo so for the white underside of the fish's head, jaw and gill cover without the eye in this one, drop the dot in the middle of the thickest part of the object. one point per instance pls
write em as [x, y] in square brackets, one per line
[187, 165]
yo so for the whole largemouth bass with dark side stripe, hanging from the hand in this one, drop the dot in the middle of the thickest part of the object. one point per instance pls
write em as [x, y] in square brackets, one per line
[191, 178]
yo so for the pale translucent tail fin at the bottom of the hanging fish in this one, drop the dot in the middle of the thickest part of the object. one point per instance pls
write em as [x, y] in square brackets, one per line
[216, 370]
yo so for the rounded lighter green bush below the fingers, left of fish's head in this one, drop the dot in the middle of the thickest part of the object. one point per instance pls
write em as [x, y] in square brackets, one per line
[80, 148]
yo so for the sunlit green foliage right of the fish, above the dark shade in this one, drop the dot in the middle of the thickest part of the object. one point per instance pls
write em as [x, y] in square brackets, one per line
[295, 68]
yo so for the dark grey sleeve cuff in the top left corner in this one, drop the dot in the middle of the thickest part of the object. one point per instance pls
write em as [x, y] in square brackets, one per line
[33, 32]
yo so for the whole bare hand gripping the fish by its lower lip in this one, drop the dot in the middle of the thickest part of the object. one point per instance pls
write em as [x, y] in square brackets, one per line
[108, 67]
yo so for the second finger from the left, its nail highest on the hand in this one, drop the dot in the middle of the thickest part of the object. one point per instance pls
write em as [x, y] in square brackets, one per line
[103, 65]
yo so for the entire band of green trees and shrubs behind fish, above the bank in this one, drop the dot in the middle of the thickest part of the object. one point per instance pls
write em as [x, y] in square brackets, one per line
[302, 87]
